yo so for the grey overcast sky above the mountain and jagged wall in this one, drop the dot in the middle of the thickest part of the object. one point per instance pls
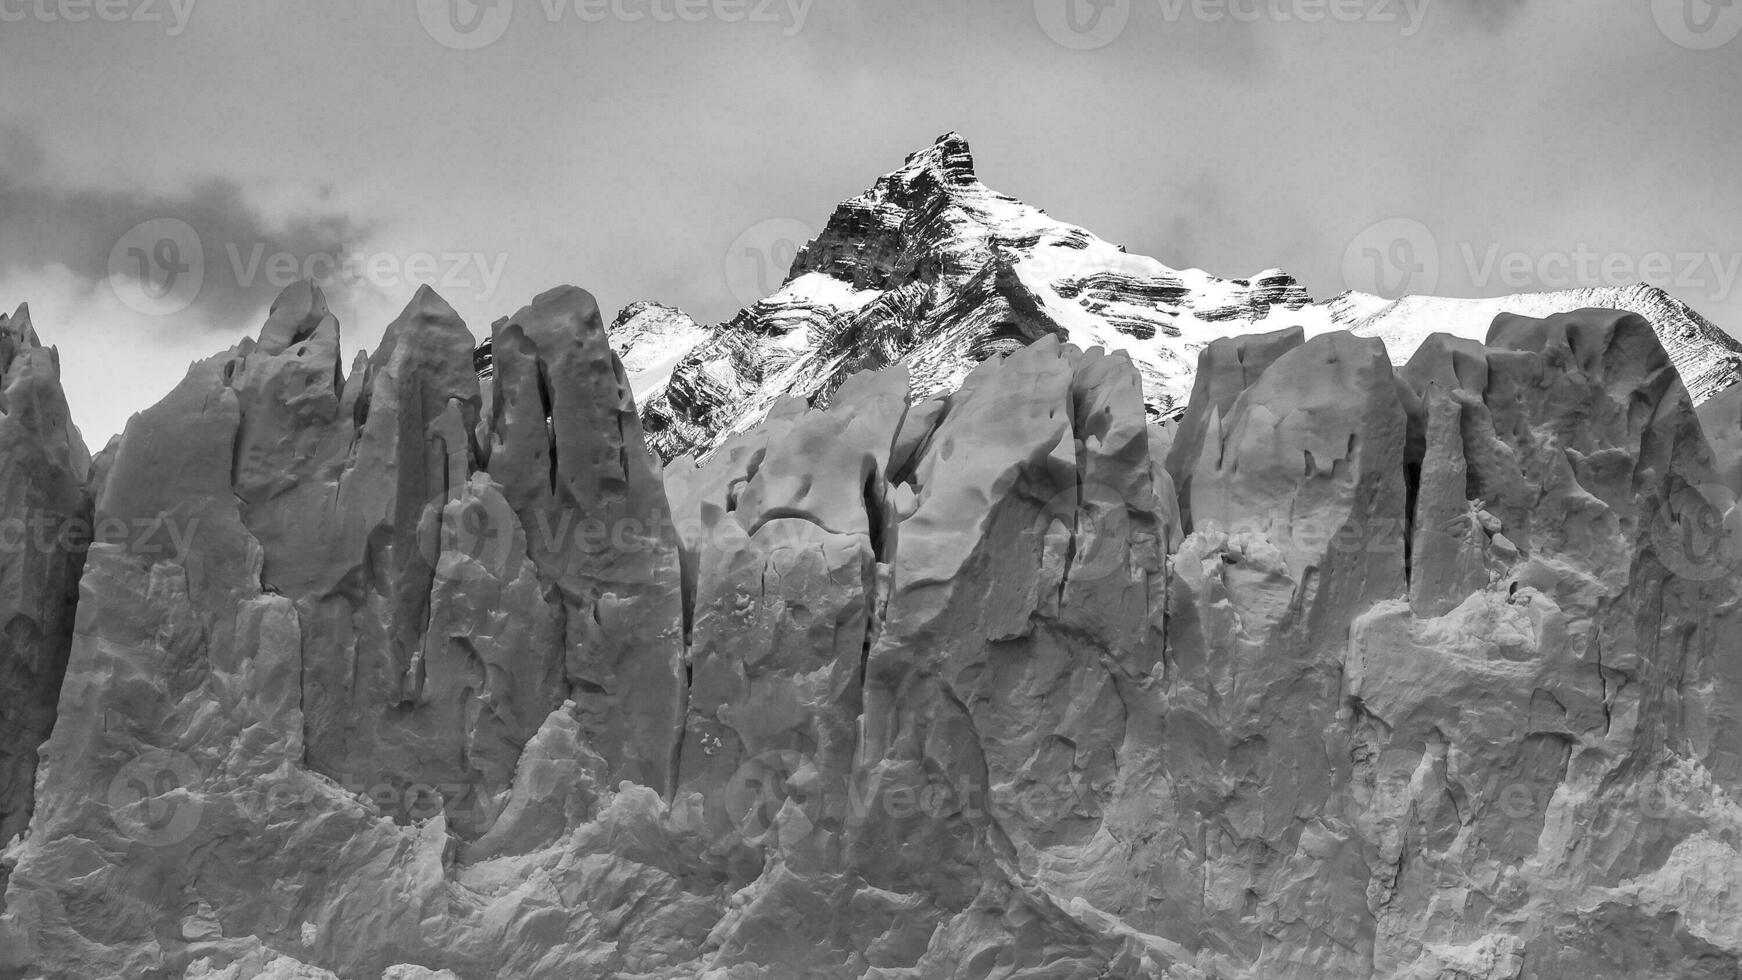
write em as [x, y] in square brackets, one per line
[633, 147]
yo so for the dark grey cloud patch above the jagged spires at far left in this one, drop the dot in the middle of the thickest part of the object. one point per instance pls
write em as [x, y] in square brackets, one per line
[97, 234]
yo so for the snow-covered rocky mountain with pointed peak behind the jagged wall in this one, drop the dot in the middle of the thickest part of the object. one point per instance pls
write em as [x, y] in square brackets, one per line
[936, 272]
